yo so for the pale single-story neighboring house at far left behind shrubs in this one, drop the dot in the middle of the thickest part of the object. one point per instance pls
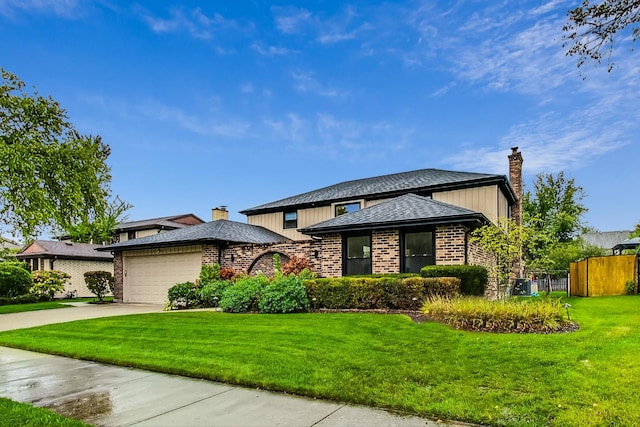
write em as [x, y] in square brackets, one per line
[73, 258]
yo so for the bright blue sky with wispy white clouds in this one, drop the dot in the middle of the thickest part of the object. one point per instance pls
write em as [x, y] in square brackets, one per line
[242, 103]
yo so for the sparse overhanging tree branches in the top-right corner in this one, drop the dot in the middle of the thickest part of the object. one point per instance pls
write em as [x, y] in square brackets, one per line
[592, 28]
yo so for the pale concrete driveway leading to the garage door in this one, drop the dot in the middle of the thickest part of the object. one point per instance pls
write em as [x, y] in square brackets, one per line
[77, 311]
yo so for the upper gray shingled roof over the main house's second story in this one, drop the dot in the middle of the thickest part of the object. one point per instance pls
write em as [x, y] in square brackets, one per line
[419, 181]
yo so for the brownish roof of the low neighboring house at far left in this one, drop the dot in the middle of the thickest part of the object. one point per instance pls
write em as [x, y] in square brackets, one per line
[63, 250]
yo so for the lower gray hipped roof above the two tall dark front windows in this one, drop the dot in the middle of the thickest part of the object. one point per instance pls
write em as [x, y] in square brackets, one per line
[405, 211]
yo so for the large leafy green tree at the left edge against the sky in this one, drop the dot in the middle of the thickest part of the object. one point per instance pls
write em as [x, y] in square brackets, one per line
[50, 175]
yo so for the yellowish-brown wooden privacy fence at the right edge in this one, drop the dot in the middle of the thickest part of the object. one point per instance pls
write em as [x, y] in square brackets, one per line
[606, 275]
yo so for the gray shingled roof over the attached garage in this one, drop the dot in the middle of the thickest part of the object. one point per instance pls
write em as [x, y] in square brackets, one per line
[222, 230]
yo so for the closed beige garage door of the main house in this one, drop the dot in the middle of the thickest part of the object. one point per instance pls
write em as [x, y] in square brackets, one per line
[147, 278]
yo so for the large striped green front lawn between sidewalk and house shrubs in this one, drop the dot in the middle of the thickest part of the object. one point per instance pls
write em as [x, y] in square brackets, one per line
[588, 377]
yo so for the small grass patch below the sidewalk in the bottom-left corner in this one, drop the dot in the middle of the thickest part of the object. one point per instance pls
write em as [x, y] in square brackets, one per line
[21, 414]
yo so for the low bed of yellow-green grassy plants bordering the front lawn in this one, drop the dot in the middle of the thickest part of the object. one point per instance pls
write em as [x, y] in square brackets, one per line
[479, 314]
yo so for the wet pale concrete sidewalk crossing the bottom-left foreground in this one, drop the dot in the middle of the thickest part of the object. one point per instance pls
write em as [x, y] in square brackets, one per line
[105, 395]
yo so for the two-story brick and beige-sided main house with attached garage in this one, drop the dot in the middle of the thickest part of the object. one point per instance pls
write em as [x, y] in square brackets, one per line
[387, 224]
